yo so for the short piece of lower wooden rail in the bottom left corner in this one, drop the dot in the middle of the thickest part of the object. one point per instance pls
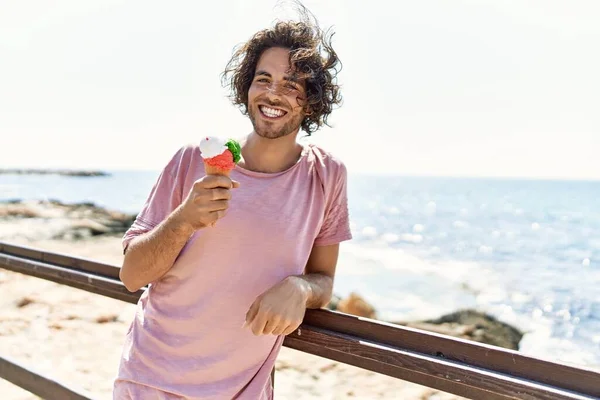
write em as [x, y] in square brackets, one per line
[36, 383]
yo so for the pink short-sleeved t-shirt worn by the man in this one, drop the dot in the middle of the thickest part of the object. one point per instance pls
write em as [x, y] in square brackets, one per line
[186, 340]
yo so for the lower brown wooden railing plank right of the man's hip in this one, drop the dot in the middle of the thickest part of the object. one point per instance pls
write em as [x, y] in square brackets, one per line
[436, 372]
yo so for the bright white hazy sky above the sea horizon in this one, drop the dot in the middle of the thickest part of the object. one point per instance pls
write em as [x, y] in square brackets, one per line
[464, 88]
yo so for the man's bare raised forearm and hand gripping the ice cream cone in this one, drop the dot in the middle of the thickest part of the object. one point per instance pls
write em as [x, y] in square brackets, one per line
[152, 254]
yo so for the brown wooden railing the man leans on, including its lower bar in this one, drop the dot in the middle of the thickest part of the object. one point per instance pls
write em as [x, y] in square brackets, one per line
[457, 366]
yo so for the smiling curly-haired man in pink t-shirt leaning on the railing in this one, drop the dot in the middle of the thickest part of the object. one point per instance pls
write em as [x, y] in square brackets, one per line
[221, 298]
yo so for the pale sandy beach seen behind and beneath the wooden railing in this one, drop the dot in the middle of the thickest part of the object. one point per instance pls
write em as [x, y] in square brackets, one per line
[75, 337]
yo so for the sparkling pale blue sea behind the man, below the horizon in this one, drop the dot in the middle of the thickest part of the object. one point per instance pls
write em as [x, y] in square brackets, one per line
[524, 251]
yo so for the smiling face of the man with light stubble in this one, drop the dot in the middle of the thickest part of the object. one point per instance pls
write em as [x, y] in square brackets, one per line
[275, 99]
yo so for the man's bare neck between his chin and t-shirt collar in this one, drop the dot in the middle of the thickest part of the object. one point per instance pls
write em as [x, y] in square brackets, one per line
[269, 155]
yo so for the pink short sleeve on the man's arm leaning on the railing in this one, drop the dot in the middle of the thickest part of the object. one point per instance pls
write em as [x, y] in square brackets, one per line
[336, 223]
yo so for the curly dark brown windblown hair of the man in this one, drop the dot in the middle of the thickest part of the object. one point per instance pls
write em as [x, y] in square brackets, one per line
[311, 57]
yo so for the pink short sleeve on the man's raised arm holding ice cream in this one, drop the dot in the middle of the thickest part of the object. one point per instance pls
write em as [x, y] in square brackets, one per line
[164, 197]
